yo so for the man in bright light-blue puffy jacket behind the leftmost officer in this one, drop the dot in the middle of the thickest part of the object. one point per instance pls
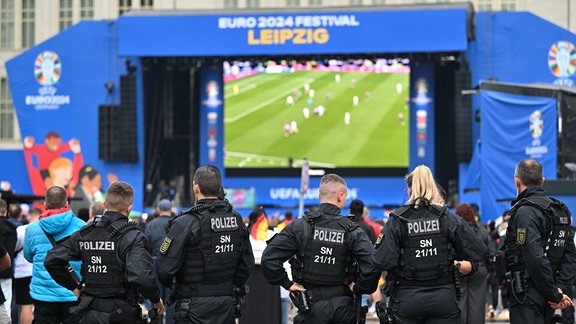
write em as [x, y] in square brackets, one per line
[51, 301]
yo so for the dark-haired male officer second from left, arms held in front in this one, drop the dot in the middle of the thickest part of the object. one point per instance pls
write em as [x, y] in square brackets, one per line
[206, 255]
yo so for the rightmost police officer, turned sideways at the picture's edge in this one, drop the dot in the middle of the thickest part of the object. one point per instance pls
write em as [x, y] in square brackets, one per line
[540, 252]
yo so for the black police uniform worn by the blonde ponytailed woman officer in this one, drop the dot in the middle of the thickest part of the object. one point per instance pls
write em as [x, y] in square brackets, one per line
[417, 248]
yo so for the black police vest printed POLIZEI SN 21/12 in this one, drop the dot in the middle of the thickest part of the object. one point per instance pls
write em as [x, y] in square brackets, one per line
[102, 269]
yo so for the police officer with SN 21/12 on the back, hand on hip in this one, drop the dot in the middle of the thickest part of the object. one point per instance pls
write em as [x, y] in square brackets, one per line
[116, 265]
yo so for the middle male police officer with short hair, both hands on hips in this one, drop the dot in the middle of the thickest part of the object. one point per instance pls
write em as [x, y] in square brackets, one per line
[323, 247]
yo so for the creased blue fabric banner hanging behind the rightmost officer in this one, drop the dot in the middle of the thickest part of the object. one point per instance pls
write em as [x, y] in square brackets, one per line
[513, 128]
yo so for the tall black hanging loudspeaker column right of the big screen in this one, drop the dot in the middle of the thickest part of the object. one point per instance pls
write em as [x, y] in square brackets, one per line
[463, 115]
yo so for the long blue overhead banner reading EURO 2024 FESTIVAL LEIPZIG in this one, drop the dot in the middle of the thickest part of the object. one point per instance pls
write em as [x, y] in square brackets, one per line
[325, 32]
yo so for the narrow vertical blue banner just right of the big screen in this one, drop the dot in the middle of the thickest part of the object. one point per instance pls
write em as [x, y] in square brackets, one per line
[422, 105]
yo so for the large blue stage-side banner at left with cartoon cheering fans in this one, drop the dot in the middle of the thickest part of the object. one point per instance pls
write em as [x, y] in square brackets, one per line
[57, 89]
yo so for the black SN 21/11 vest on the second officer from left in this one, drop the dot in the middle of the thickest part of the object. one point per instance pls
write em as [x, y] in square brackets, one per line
[213, 261]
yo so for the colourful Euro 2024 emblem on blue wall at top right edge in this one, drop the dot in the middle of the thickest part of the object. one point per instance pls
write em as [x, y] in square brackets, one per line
[562, 62]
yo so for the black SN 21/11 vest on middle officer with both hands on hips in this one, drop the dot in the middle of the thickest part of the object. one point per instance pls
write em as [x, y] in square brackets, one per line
[324, 258]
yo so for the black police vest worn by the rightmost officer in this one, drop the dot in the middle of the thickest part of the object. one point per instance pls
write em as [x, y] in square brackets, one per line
[554, 238]
